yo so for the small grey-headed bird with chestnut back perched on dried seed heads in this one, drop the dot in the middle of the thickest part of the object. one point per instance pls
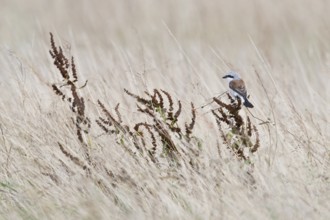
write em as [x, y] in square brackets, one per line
[237, 88]
